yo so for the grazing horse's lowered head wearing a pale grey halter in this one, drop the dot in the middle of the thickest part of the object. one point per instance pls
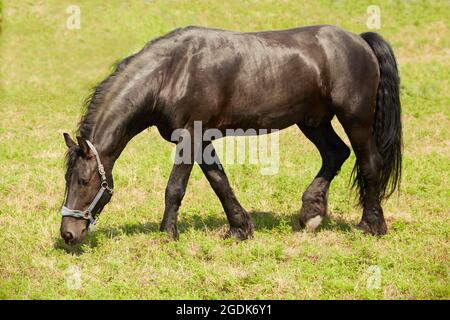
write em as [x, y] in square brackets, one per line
[87, 189]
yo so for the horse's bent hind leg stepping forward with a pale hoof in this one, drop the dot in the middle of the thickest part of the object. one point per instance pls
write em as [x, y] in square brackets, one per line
[333, 152]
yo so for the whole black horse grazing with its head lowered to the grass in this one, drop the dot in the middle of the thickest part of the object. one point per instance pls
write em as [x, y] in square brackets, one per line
[275, 79]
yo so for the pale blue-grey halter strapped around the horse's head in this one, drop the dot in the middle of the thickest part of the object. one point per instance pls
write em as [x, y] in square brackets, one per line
[87, 214]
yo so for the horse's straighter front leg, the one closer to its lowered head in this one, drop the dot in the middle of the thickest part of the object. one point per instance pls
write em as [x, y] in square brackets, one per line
[175, 190]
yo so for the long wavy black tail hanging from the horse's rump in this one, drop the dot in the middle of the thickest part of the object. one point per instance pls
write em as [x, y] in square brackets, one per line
[387, 127]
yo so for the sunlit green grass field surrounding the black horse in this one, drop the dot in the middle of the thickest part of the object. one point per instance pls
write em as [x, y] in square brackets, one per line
[46, 72]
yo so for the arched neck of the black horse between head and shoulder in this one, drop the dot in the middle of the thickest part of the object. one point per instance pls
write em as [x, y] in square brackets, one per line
[128, 105]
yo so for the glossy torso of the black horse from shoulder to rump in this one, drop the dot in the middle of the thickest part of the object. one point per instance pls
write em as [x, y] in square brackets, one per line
[267, 79]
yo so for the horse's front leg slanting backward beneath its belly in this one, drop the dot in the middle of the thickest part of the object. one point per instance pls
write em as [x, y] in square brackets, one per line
[241, 225]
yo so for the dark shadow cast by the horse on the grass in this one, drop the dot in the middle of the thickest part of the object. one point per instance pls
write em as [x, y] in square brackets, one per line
[262, 220]
